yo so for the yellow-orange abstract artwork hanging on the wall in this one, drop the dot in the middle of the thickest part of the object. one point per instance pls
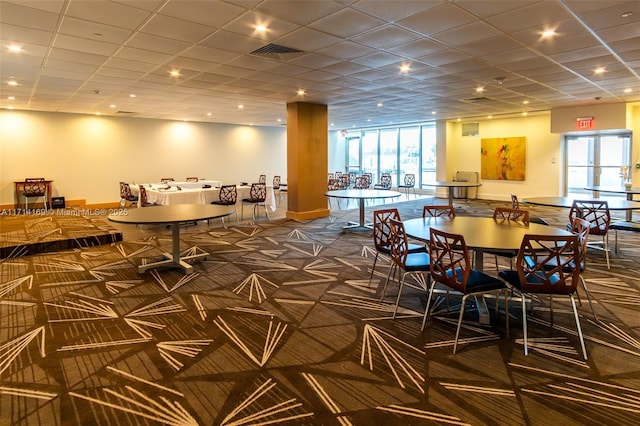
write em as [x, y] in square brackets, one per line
[503, 158]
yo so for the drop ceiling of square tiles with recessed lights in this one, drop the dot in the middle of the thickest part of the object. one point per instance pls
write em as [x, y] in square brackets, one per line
[93, 57]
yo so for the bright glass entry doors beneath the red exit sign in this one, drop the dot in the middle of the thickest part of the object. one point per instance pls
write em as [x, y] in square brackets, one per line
[596, 160]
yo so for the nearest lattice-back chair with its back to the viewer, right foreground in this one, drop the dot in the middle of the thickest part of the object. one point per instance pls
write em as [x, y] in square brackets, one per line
[547, 264]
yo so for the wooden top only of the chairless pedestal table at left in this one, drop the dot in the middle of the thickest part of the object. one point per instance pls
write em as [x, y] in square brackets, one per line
[175, 213]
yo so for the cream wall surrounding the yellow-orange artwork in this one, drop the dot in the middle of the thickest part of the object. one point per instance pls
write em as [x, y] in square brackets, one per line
[543, 156]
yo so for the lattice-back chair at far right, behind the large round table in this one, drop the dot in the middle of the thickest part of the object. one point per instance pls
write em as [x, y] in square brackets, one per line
[597, 213]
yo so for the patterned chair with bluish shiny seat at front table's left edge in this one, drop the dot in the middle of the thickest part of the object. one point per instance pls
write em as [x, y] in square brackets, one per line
[406, 263]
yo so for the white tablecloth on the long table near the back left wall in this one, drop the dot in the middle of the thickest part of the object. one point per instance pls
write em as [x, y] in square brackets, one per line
[170, 196]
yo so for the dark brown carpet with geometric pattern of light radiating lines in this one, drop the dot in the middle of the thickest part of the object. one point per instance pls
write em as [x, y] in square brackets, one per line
[280, 325]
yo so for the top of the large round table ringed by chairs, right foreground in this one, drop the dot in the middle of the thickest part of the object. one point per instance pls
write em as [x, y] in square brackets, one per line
[482, 233]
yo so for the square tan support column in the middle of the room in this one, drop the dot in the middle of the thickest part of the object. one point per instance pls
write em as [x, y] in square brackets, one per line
[307, 160]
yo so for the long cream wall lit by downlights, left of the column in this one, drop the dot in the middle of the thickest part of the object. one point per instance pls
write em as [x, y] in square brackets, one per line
[87, 156]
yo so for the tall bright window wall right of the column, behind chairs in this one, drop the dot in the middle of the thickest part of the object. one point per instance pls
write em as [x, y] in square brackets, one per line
[393, 150]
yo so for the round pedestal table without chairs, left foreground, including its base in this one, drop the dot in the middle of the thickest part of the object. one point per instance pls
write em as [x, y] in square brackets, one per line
[173, 215]
